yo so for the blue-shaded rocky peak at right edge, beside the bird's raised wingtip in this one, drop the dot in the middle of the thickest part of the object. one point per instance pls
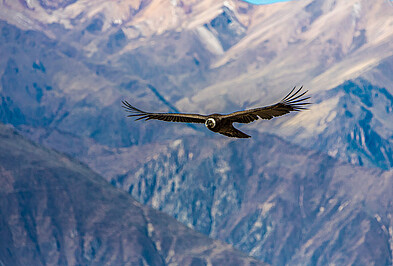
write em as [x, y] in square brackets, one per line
[361, 111]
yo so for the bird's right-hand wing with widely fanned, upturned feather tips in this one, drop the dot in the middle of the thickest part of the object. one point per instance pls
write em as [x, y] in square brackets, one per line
[292, 102]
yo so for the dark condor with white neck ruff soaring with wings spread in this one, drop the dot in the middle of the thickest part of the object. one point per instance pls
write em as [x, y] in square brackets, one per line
[294, 101]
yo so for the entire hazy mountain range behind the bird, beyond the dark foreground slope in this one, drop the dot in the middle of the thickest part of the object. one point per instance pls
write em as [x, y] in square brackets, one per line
[65, 66]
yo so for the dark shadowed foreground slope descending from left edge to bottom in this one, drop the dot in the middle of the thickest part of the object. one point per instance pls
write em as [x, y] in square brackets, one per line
[56, 211]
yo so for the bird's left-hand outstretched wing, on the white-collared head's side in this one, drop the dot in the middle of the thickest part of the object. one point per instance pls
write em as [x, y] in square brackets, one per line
[170, 117]
